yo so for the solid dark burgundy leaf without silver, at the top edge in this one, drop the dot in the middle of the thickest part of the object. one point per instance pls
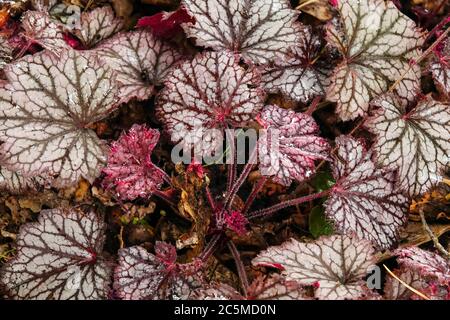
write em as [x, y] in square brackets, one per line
[166, 24]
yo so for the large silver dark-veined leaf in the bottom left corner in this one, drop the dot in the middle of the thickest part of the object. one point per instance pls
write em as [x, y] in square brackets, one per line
[59, 257]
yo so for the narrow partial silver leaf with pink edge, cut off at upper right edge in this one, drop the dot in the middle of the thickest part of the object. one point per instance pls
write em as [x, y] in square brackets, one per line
[440, 68]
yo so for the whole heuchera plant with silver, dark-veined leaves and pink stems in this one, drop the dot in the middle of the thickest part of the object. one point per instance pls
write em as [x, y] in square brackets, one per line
[360, 100]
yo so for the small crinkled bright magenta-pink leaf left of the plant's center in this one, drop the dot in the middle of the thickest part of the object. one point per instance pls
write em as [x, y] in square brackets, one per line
[130, 171]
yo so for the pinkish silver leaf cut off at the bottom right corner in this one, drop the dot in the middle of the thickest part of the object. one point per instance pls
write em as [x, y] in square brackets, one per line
[426, 263]
